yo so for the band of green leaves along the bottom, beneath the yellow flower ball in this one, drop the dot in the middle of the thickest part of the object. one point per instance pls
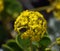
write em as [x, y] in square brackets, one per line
[26, 45]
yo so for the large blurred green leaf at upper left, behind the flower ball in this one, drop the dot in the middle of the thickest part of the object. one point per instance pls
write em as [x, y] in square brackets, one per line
[13, 7]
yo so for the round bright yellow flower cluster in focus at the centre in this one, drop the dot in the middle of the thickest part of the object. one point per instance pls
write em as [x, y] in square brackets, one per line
[34, 22]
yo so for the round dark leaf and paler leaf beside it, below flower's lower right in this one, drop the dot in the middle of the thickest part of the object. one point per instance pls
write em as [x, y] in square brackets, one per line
[42, 44]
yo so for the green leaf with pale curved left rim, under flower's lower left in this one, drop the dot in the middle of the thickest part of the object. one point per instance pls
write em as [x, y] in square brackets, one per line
[23, 43]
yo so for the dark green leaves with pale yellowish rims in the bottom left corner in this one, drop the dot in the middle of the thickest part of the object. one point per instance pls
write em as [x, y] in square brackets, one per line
[11, 45]
